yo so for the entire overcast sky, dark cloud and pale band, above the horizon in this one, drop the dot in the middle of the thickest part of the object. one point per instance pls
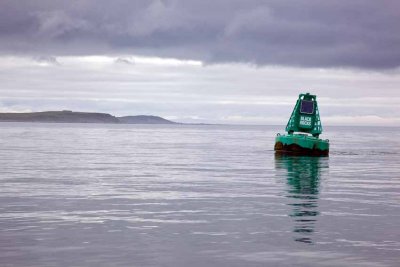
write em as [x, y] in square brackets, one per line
[219, 61]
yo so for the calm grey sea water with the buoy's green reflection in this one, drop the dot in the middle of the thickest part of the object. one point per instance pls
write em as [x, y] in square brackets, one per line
[136, 195]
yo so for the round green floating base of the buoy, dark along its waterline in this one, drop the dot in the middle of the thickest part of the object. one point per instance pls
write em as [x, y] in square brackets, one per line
[301, 145]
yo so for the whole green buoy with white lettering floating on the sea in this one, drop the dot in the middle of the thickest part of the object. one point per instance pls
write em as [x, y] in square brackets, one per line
[303, 130]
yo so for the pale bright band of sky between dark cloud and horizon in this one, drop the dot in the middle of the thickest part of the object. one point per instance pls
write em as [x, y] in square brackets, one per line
[190, 91]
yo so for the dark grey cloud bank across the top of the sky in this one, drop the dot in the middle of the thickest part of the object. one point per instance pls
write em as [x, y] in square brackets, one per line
[305, 33]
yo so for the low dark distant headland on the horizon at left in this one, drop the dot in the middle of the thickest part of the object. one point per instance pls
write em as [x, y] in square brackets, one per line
[67, 116]
